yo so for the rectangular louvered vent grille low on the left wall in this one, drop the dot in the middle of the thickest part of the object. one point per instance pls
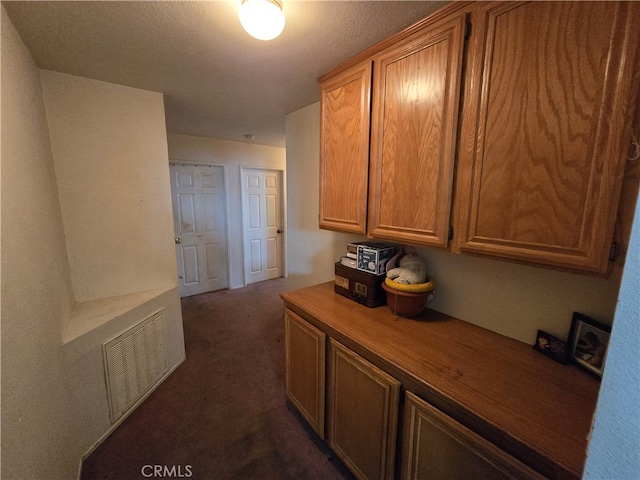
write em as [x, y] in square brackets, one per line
[134, 362]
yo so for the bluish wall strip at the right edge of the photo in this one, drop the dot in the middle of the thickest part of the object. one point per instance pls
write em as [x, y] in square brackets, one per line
[614, 450]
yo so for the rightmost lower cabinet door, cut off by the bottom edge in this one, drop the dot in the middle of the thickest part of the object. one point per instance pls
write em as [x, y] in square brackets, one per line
[437, 447]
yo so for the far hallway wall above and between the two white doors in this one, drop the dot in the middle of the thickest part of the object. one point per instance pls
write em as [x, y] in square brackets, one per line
[232, 156]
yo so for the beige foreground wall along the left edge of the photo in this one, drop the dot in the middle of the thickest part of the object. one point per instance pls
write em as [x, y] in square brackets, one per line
[37, 419]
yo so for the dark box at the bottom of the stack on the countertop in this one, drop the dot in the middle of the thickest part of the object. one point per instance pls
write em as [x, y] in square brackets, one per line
[363, 287]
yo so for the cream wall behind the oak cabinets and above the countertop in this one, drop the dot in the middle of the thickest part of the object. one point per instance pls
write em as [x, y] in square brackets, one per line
[511, 299]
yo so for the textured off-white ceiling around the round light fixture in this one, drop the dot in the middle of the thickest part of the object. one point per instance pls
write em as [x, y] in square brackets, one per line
[217, 81]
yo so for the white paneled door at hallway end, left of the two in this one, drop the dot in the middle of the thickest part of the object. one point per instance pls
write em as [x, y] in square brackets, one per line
[199, 210]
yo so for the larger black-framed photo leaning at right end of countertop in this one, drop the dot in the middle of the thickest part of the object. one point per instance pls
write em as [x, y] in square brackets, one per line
[588, 343]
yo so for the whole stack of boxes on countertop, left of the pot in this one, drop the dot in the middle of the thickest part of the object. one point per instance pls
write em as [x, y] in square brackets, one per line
[361, 272]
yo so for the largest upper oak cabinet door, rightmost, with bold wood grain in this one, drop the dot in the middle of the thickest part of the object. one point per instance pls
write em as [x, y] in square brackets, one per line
[549, 94]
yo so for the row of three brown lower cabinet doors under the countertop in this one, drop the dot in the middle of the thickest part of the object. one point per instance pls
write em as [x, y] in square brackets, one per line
[362, 405]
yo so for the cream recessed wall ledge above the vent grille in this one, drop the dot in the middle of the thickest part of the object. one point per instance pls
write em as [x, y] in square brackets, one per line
[87, 316]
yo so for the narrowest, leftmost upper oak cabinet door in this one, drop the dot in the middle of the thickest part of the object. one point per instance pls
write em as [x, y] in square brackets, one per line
[345, 104]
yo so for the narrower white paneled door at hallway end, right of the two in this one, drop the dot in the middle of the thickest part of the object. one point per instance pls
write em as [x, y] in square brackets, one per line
[262, 224]
